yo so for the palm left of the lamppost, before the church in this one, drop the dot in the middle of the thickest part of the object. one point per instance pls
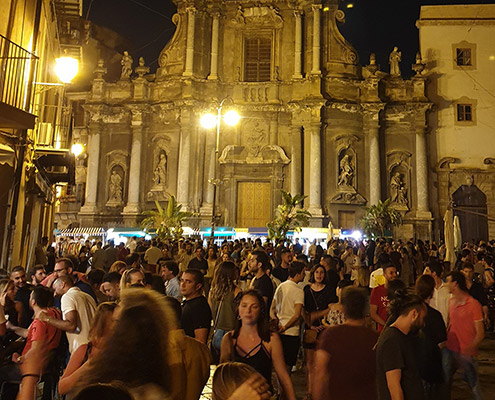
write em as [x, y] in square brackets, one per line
[167, 222]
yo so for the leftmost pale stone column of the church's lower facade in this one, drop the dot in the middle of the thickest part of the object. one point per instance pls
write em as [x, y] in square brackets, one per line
[93, 167]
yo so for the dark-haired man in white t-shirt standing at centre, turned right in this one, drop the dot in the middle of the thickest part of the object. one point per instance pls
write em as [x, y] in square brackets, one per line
[287, 308]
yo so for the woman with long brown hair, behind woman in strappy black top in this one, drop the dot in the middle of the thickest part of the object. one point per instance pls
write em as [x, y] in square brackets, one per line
[223, 291]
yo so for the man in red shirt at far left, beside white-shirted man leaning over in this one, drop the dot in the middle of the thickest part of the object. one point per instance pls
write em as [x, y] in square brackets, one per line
[38, 334]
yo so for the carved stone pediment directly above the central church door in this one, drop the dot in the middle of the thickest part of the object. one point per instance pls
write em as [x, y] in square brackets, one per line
[267, 154]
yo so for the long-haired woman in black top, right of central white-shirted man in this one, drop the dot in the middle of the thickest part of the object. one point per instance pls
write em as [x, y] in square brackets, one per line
[317, 297]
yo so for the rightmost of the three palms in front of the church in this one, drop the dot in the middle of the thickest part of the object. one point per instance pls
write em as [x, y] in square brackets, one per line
[379, 217]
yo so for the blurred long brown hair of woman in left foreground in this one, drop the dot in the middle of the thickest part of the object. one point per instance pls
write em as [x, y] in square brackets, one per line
[138, 351]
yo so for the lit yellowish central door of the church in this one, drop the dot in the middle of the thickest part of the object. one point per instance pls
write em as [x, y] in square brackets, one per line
[253, 204]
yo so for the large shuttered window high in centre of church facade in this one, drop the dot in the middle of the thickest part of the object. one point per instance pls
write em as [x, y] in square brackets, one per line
[257, 61]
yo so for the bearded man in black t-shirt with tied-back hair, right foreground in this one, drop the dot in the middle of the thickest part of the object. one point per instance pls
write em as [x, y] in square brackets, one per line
[397, 372]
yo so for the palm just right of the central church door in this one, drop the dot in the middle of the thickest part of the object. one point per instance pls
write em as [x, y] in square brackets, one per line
[288, 216]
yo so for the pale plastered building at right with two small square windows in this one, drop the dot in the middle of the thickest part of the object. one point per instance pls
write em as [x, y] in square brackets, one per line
[457, 46]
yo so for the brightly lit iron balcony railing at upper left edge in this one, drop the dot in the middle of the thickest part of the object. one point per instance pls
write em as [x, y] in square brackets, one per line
[16, 64]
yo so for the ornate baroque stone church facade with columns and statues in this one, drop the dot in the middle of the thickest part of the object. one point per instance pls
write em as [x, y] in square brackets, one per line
[314, 121]
